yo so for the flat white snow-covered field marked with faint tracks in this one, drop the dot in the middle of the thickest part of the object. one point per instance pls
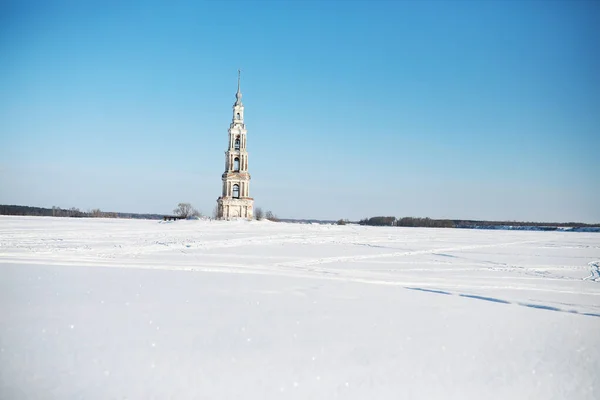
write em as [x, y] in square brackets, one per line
[115, 309]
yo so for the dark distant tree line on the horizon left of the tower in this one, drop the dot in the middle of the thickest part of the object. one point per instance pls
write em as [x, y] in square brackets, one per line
[72, 212]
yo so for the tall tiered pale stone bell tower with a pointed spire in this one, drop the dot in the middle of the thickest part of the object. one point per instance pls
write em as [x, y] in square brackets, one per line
[235, 201]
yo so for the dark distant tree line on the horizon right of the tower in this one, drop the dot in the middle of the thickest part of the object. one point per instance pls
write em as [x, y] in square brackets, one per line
[450, 223]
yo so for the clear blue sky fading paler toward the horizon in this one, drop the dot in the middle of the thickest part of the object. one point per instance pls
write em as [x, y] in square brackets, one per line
[468, 109]
